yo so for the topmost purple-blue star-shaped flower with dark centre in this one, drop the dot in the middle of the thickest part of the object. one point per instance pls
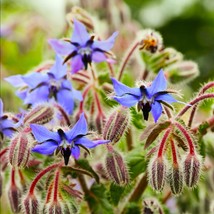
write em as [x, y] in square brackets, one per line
[82, 48]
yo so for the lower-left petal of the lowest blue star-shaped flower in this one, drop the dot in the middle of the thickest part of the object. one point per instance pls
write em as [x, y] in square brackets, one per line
[46, 148]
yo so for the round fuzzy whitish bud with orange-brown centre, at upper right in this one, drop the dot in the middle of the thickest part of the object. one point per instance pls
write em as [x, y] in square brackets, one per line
[151, 40]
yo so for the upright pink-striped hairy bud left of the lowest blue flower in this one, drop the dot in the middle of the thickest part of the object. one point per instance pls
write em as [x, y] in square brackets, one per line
[19, 150]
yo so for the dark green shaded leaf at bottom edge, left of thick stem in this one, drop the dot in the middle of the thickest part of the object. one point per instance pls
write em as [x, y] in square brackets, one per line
[98, 200]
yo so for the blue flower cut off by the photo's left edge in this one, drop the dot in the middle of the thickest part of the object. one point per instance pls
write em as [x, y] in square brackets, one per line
[7, 126]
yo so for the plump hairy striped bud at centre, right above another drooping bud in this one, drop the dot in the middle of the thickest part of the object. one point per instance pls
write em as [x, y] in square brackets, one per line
[117, 124]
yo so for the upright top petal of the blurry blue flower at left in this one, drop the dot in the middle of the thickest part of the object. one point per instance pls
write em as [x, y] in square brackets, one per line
[58, 69]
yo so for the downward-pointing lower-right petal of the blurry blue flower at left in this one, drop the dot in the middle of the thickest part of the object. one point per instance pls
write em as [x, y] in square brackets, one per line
[65, 98]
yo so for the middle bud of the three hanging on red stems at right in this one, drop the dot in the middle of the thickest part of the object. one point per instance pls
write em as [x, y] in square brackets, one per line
[176, 179]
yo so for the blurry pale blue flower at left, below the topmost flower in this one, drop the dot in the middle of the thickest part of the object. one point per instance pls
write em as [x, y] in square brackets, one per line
[39, 87]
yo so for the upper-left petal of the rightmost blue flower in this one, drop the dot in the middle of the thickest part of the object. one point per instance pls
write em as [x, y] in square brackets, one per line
[121, 89]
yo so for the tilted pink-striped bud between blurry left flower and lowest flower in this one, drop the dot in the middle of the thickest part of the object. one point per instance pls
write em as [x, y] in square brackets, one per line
[41, 114]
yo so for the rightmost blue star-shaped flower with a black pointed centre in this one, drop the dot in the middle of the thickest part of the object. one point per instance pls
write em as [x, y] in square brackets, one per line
[147, 99]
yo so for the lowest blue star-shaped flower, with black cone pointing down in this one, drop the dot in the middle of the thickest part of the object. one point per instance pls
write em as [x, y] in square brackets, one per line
[68, 142]
